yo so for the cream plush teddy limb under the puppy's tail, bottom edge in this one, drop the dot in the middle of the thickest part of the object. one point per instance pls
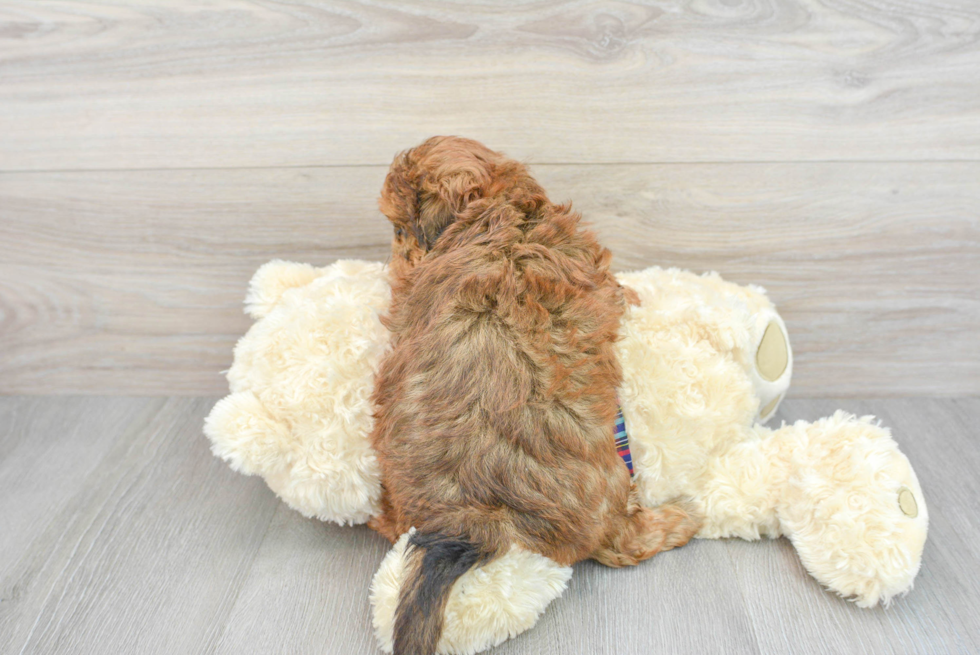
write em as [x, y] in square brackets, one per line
[488, 604]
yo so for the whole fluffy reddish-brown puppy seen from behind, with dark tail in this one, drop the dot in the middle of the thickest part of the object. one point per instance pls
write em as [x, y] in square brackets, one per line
[496, 404]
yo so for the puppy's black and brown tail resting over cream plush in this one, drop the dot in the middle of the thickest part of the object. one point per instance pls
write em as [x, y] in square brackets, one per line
[434, 563]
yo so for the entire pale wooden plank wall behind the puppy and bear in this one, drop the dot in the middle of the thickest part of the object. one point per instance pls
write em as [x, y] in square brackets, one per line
[153, 154]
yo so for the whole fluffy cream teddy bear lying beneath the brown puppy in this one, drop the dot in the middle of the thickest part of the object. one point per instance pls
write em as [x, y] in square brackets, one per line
[705, 362]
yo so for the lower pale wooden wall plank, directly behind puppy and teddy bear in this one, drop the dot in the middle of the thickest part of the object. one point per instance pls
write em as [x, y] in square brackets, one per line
[132, 282]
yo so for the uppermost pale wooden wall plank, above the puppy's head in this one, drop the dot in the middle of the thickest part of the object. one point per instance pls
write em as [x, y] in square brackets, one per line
[230, 83]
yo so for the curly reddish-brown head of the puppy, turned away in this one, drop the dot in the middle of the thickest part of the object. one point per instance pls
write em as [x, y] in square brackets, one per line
[431, 185]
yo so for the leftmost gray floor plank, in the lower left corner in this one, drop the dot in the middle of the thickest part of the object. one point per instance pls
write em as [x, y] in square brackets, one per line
[50, 450]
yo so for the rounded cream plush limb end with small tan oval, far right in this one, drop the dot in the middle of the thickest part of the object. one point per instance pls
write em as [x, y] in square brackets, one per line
[852, 507]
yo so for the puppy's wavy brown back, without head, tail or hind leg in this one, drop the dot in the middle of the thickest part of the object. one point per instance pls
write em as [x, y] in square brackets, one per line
[498, 397]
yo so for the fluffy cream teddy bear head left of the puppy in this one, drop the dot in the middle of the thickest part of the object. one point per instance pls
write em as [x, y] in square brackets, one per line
[300, 410]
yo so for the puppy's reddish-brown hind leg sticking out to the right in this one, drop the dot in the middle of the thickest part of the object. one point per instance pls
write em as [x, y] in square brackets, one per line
[646, 531]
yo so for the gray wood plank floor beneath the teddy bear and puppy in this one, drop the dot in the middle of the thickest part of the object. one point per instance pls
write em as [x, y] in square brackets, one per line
[120, 533]
